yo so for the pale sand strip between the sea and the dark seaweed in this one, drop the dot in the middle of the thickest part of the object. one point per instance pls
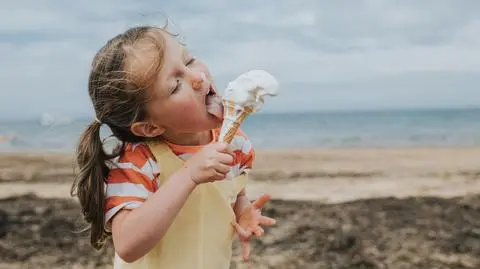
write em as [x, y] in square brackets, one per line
[330, 176]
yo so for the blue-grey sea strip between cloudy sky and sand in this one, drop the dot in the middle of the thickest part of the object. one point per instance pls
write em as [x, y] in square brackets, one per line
[309, 130]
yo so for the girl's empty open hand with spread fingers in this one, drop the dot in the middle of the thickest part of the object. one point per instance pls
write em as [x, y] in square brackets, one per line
[249, 221]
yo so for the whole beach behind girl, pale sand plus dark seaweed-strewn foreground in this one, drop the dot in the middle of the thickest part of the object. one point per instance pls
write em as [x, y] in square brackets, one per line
[342, 208]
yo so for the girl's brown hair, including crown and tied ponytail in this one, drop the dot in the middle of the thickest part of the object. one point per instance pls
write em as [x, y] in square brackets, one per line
[122, 72]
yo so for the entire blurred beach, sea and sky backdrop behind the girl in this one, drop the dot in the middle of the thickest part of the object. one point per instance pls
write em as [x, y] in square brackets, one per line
[371, 149]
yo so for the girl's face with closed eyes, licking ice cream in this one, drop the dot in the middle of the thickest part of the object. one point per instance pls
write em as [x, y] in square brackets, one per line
[179, 103]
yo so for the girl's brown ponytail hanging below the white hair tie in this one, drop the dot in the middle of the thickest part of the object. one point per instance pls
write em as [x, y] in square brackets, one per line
[89, 183]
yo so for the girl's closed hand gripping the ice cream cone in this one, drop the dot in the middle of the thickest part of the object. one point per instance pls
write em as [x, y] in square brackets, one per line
[211, 163]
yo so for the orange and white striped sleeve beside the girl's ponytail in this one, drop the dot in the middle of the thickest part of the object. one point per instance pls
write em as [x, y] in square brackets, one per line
[132, 179]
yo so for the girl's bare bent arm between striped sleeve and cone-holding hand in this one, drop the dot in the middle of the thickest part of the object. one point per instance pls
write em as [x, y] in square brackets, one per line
[136, 232]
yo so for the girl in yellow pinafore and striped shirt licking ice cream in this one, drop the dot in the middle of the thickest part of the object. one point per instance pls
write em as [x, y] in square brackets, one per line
[171, 196]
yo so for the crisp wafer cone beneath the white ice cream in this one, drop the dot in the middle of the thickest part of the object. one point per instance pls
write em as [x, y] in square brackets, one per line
[234, 115]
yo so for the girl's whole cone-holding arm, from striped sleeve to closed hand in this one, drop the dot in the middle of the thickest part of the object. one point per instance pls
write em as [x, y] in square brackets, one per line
[137, 231]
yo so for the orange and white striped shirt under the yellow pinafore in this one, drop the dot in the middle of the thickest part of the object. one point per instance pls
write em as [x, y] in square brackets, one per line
[134, 175]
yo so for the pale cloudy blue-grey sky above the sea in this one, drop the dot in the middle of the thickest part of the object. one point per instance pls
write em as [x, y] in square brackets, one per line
[327, 55]
